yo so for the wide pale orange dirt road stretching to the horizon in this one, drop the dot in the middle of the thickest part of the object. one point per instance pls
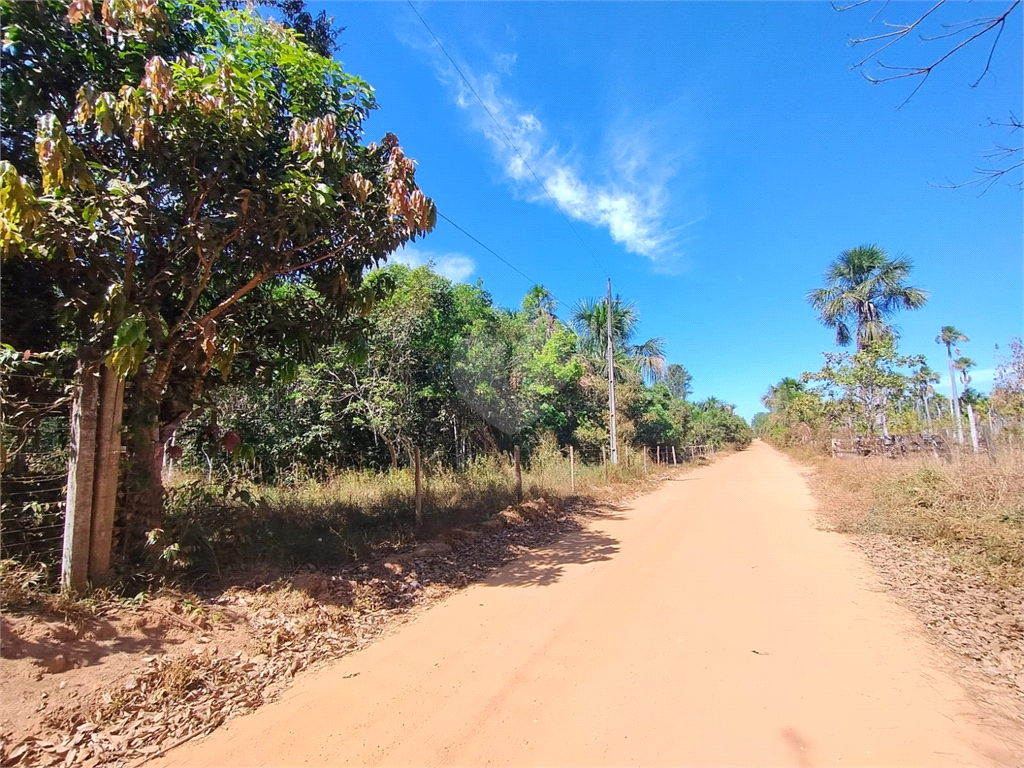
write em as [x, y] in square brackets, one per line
[708, 624]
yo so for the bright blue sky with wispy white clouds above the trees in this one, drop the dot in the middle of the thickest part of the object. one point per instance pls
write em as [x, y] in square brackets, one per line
[714, 158]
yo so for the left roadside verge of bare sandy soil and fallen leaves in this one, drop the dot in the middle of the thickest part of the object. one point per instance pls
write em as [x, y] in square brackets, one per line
[117, 682]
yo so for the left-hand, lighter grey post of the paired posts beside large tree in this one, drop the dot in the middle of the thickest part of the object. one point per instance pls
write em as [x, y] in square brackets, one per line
[81, 477]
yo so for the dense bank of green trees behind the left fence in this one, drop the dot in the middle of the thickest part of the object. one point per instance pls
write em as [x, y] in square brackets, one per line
[442, 369]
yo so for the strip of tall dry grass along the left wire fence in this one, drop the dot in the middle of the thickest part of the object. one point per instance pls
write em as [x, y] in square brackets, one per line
[356, 517]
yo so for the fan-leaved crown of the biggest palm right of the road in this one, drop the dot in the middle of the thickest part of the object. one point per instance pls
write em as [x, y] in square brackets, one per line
[865, 287]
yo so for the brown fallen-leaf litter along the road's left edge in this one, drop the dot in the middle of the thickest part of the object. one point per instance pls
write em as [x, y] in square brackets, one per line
[291, 623]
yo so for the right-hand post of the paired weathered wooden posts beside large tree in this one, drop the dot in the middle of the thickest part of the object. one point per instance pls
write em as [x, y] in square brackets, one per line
[108, 473]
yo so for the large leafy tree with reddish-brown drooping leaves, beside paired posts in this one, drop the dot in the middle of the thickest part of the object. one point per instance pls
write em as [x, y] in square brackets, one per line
[198, 193]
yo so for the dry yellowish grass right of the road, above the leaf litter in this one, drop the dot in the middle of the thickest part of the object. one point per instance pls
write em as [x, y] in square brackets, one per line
[971, 509]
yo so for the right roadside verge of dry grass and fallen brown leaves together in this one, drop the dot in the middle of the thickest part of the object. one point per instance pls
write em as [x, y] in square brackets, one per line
[948, 540]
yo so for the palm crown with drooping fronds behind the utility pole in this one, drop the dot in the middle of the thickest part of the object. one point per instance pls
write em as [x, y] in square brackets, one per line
[590, 321]
